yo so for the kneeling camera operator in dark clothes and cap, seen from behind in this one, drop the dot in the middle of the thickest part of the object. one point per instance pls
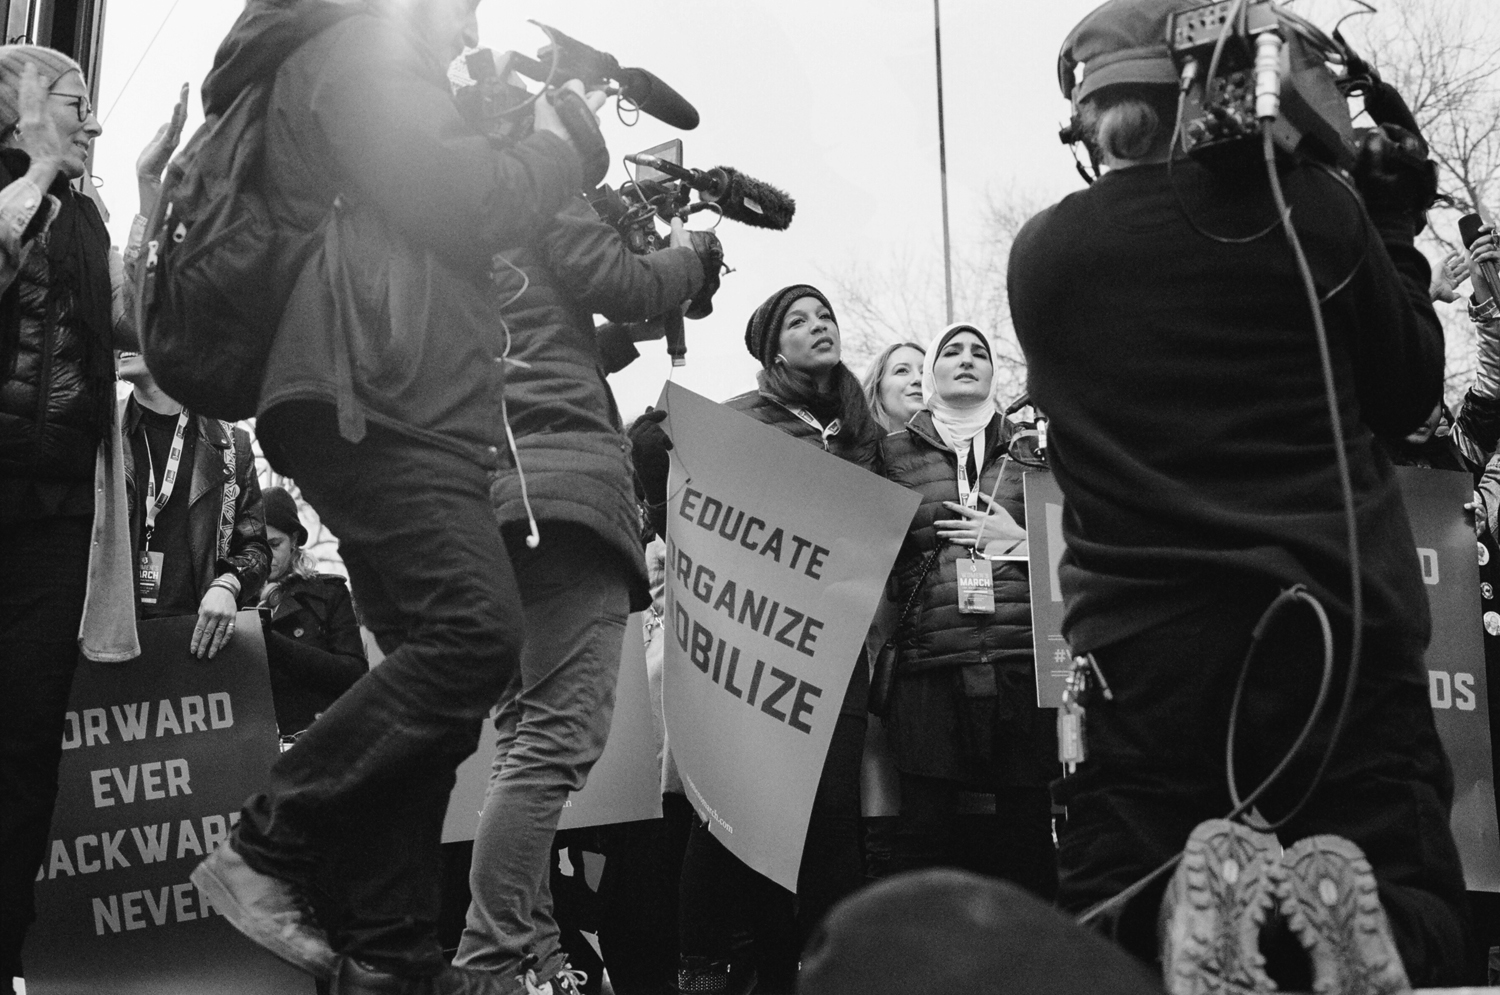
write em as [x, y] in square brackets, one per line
[1192, 439]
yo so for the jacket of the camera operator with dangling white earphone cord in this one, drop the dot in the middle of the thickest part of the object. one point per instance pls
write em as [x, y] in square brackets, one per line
[572, 445]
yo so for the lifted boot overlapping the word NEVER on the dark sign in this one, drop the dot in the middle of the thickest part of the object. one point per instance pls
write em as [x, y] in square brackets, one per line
[271, 912]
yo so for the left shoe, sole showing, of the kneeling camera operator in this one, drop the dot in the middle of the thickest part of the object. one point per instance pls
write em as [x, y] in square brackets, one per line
[1214, 910]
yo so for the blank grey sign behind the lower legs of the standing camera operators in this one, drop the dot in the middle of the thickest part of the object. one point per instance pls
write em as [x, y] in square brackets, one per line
[626, 783]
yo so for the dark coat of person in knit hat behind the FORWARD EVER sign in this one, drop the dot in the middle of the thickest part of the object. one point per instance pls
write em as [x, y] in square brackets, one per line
[313, 646]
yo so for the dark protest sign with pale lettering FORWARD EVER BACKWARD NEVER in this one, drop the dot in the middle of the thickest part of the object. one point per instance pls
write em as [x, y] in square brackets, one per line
[158, 757]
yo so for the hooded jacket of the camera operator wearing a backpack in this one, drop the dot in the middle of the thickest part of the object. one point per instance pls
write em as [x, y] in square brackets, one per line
[389, 319]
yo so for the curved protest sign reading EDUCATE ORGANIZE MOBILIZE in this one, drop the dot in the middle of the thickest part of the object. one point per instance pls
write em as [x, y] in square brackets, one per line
[778, 555]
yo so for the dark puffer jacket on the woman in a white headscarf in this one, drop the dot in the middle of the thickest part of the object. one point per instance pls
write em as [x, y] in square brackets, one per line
[935, 634]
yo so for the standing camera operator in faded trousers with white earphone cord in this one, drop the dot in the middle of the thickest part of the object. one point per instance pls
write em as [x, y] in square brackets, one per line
[568, 511]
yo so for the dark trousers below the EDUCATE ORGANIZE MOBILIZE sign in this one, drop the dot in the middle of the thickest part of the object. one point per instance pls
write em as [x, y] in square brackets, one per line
[722, 897]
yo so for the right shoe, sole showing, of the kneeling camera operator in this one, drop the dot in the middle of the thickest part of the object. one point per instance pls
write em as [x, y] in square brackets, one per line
[1328, 898]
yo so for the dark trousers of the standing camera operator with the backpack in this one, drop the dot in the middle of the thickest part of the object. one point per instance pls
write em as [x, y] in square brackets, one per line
[356, 808]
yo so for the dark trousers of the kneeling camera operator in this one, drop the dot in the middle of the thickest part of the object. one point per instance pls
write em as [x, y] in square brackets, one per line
[1156, 771]
